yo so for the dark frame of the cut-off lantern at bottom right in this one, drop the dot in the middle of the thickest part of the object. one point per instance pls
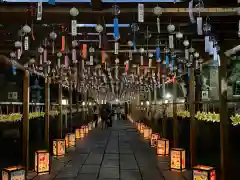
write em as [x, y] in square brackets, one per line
[208, 171]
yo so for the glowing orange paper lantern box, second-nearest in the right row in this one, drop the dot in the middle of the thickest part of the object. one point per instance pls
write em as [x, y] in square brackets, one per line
[177, 159]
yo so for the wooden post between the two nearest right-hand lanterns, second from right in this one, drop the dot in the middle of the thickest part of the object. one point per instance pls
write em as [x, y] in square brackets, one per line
[192, 117]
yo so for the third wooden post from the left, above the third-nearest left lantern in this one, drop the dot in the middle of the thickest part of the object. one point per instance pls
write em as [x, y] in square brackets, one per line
[60, 118]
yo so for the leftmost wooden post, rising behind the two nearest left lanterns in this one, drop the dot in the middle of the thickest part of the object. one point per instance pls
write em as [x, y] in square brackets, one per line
[26, 120]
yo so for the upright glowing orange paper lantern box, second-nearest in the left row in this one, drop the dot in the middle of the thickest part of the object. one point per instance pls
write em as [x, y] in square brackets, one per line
[42, 162]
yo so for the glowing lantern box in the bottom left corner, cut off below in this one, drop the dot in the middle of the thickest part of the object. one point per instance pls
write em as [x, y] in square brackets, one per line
[14, 173]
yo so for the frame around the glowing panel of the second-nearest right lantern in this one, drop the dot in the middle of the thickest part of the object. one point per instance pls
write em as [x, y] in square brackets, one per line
[181, 160]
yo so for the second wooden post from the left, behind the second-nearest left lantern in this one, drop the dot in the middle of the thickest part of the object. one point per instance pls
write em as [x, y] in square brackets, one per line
[47, 107]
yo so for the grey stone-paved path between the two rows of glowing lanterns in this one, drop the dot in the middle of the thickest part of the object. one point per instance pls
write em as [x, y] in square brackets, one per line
[119, 152]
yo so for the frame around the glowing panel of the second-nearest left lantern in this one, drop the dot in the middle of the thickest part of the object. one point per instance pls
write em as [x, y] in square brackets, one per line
[46, 154]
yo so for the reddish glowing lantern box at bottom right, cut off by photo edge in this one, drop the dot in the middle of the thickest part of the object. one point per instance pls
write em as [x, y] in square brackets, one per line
[201, 172]
